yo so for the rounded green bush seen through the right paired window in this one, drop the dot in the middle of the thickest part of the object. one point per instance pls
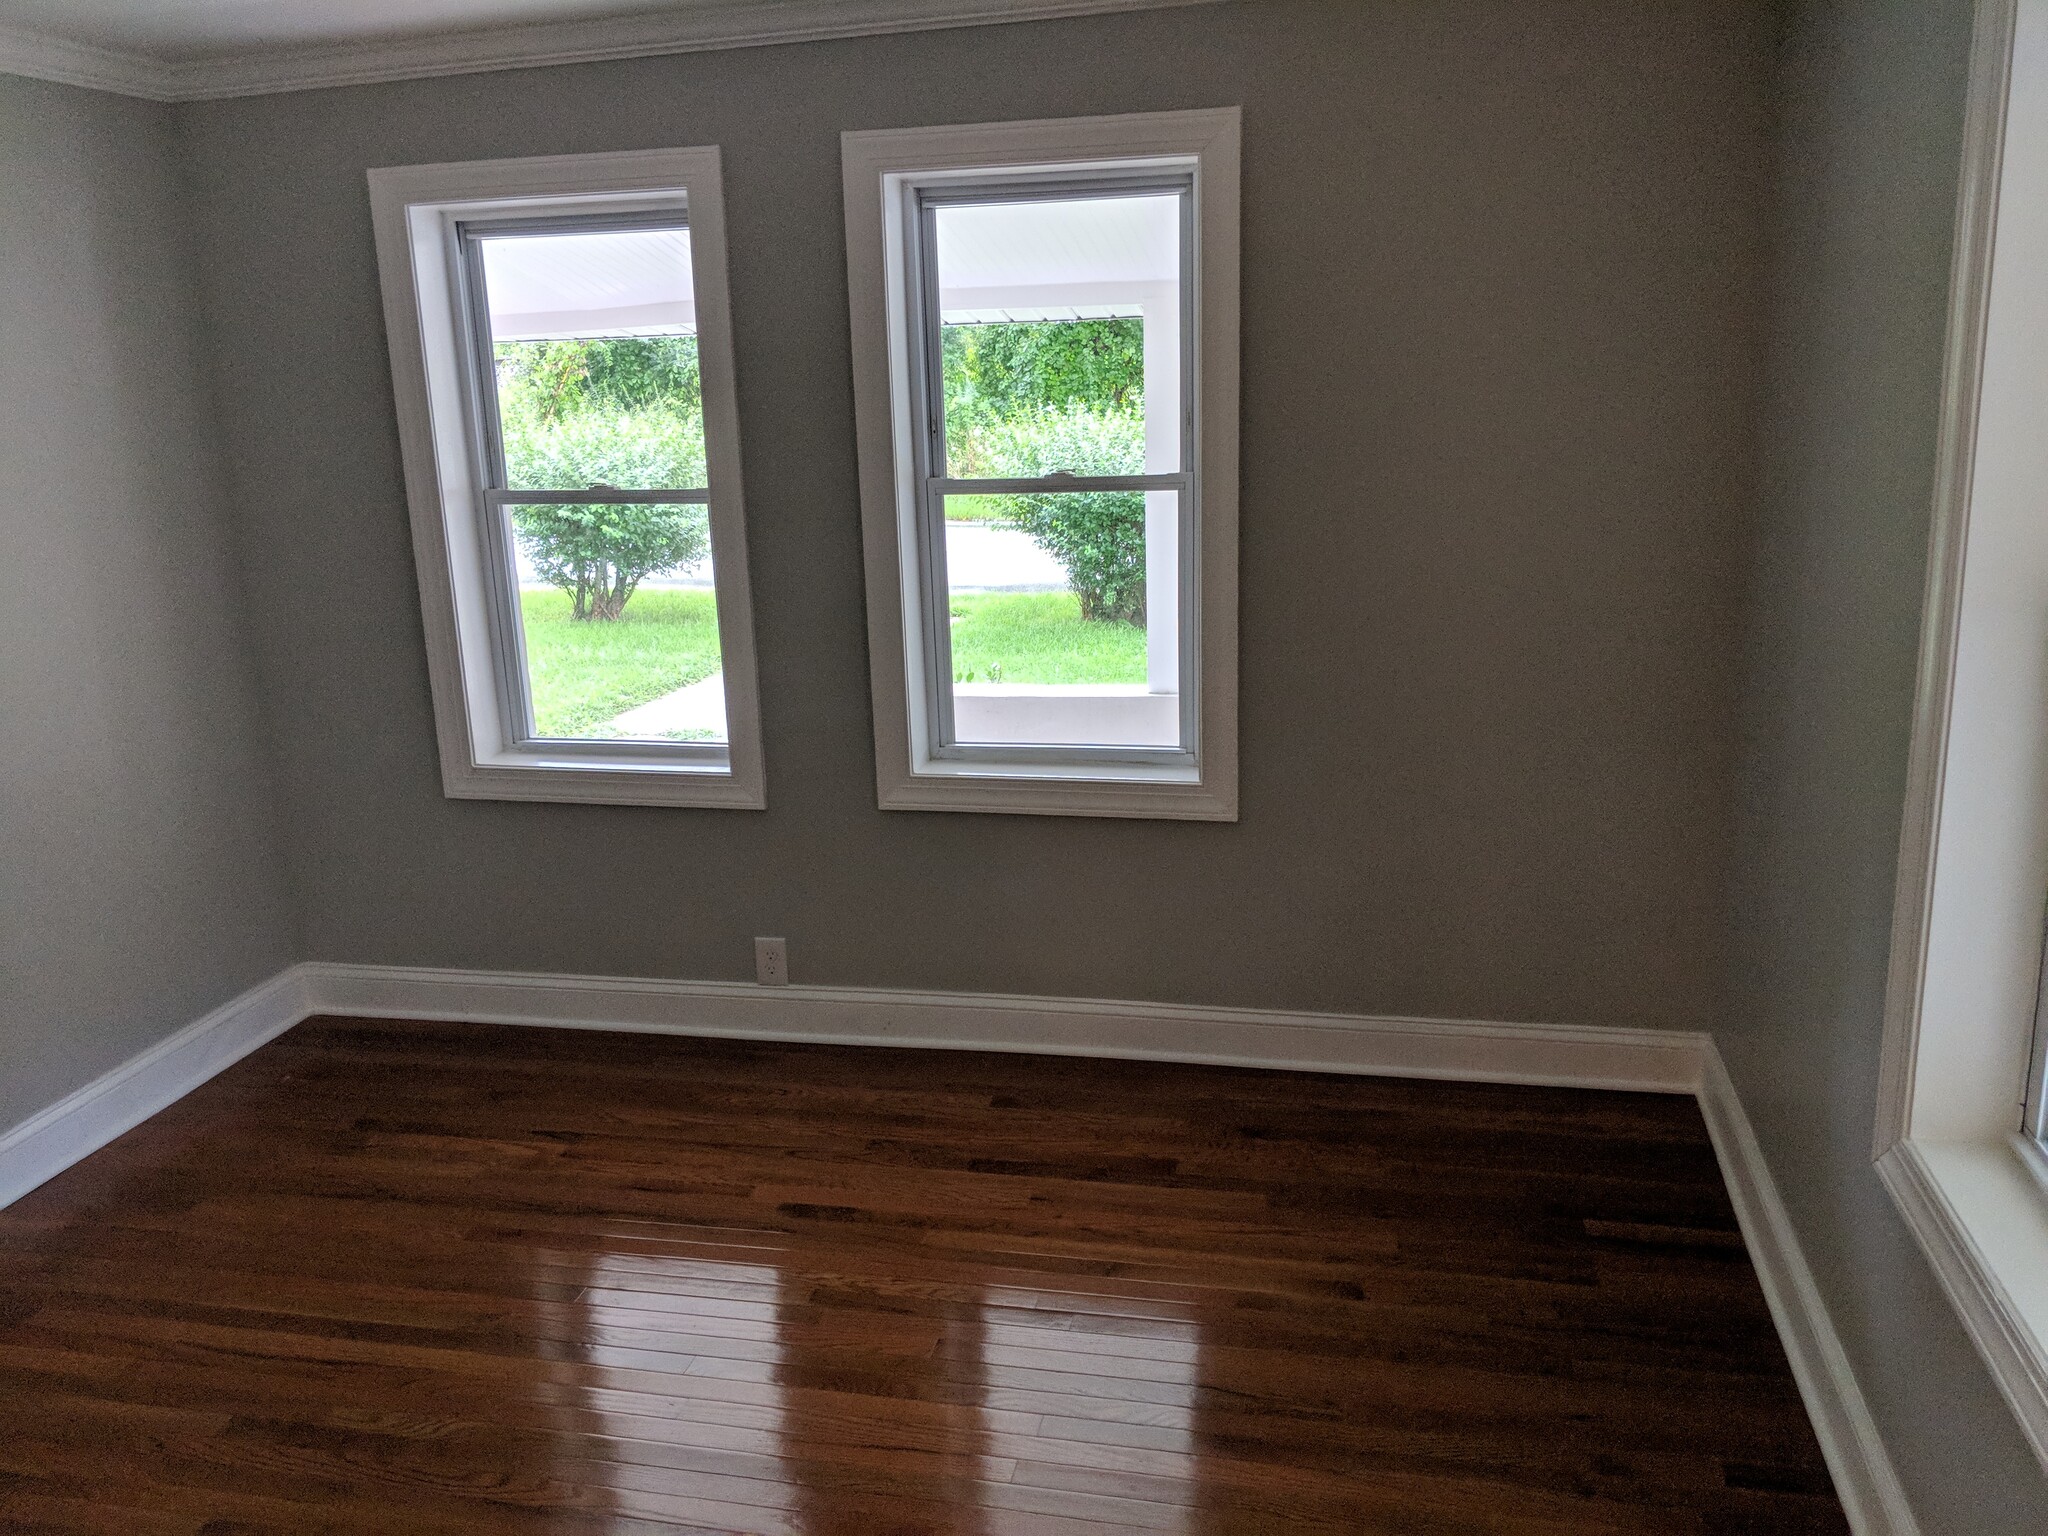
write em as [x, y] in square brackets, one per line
[1099, 538]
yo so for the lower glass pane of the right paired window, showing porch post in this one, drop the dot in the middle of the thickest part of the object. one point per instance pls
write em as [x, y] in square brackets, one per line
[1064, 628]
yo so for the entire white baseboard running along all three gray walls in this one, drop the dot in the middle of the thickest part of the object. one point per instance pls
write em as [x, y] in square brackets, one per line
[1549, 1056]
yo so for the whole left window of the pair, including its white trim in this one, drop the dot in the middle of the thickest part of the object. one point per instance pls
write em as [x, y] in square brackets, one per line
[562, 366]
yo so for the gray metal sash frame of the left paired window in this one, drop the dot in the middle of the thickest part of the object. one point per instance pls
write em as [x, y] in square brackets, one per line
[495, 497]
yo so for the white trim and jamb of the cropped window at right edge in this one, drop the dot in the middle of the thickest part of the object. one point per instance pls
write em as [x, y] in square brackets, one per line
[1973, 857]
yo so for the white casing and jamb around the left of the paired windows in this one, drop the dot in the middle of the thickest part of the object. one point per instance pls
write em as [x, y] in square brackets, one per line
[415, 210]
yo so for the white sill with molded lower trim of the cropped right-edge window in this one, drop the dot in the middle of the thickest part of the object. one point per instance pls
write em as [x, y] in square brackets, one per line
[1981, 1215]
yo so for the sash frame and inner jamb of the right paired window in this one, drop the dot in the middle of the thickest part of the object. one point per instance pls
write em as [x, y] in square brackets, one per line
[1000, 185]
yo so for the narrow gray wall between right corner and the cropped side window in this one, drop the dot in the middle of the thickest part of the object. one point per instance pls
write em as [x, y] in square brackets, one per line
[1871, 136]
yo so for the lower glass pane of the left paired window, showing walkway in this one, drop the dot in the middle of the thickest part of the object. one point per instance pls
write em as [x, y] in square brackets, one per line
[620, 622]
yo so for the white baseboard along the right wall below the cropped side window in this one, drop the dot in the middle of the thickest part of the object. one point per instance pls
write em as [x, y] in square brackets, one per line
[1865, 1478]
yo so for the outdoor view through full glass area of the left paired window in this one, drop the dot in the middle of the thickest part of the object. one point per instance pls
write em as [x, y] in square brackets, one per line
[599, 486]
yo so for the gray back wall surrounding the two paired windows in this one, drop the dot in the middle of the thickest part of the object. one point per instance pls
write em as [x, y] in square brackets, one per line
[1502, 296]
